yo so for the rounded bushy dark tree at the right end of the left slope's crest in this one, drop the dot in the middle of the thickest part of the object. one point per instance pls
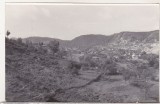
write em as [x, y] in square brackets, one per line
[54, 46]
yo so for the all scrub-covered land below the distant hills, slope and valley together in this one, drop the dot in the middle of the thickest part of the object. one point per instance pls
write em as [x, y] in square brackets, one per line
[44, 72]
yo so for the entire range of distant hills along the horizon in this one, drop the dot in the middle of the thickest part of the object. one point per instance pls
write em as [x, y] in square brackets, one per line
[86, 41]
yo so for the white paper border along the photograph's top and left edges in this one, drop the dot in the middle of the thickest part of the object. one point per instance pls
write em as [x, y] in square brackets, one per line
[28, 2]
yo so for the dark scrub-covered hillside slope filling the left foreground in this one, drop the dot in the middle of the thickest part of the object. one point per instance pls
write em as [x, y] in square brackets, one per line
[33, 72]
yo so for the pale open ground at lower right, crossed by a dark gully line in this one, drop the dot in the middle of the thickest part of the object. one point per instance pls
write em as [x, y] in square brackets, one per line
[111, 89]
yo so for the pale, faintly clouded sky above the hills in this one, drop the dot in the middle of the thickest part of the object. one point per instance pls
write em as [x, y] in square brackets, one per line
[69, 21]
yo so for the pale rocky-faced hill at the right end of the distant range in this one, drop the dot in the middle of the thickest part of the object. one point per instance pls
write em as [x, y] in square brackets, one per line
[138, 37]
